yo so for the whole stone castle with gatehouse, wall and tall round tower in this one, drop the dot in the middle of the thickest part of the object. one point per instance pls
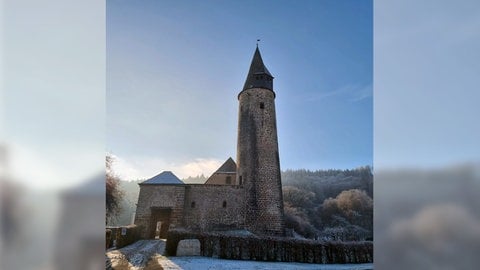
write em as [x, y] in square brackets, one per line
[246, 195]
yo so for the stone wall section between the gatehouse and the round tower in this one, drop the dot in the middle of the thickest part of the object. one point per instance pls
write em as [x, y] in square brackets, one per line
[214, 207]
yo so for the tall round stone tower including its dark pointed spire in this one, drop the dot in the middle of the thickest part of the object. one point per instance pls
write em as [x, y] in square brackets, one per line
[258, 164]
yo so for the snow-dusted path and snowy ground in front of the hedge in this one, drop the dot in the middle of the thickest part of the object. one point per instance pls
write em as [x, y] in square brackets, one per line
[146, 255]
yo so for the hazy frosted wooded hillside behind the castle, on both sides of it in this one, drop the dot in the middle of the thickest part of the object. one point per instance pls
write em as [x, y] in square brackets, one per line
[322, 204]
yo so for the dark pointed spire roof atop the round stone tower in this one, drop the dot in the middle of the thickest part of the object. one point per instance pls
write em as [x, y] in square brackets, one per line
[258, 75]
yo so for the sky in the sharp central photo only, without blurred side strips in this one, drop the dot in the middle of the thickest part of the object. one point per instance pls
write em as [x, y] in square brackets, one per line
[174, 70]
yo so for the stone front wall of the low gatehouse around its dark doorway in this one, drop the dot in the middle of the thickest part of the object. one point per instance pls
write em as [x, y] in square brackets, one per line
[159, 196]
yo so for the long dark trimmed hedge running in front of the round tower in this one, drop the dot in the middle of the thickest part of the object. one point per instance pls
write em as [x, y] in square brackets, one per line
[273, 248]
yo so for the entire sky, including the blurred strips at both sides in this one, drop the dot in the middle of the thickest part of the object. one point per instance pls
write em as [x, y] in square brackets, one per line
[53, 55]
